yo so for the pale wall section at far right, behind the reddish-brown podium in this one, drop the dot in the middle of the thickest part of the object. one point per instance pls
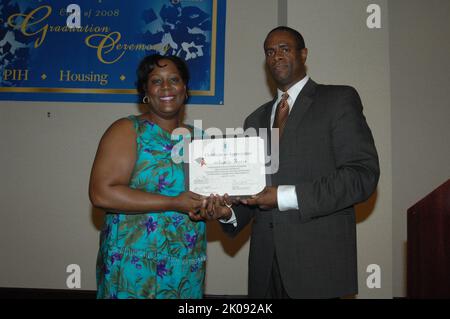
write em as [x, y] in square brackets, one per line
[420, 65]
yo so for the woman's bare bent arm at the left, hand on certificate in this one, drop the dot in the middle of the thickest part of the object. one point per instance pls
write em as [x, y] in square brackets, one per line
[111, 173]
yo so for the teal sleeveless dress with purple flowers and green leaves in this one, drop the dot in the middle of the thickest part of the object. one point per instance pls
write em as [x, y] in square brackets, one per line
[154, 254]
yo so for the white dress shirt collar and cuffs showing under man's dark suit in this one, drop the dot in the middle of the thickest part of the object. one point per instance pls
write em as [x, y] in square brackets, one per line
[286, 194]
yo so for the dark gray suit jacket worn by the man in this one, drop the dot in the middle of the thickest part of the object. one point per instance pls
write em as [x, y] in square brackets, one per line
[327, 151]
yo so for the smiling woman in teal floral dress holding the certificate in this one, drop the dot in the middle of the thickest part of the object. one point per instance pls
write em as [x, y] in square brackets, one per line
[152, 244]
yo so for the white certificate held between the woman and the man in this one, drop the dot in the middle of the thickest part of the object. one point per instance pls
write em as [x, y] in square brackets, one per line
[232, 165]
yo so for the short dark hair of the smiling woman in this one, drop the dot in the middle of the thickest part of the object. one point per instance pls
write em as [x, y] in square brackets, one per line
[150, 62]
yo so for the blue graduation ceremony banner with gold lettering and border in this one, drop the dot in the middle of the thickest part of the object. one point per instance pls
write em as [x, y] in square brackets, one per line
[49, 51]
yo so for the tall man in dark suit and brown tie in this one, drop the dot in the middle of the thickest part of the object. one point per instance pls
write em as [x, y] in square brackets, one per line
[303, 240]
